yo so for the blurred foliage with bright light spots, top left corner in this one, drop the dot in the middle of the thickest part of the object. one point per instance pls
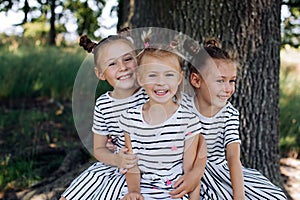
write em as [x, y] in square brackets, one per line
[57, 13]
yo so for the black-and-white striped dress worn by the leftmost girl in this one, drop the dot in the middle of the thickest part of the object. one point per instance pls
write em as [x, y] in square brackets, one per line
[102, 181]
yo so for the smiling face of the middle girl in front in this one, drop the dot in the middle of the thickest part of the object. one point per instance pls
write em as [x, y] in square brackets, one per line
[160, 78]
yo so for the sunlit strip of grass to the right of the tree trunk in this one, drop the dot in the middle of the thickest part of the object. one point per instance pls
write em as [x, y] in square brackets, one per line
[289, 109]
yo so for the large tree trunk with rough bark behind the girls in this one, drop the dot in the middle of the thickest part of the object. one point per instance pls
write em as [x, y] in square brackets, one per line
[251, 29]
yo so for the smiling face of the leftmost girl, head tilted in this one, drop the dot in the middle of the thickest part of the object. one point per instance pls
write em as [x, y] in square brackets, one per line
[117, 65]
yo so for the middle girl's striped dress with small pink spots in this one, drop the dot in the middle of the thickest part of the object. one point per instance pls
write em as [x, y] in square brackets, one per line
[159, 149]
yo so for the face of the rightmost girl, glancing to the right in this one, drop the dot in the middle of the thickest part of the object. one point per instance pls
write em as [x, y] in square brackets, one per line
[217, 84]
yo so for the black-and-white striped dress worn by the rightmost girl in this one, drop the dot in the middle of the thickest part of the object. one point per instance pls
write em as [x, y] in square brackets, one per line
[219, 131]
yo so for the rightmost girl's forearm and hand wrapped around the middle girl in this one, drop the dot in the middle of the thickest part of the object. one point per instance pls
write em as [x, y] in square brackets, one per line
[194, 161]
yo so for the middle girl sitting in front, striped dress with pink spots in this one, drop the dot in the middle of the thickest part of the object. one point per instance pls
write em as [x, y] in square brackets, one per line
[163, 134]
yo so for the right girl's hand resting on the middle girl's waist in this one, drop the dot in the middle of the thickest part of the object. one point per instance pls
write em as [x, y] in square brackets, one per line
[185, 184]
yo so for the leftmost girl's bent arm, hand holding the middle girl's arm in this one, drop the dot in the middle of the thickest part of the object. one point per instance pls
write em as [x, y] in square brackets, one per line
[103, 154]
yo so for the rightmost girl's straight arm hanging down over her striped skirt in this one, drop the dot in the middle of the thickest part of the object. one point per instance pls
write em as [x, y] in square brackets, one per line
[235, 168]
